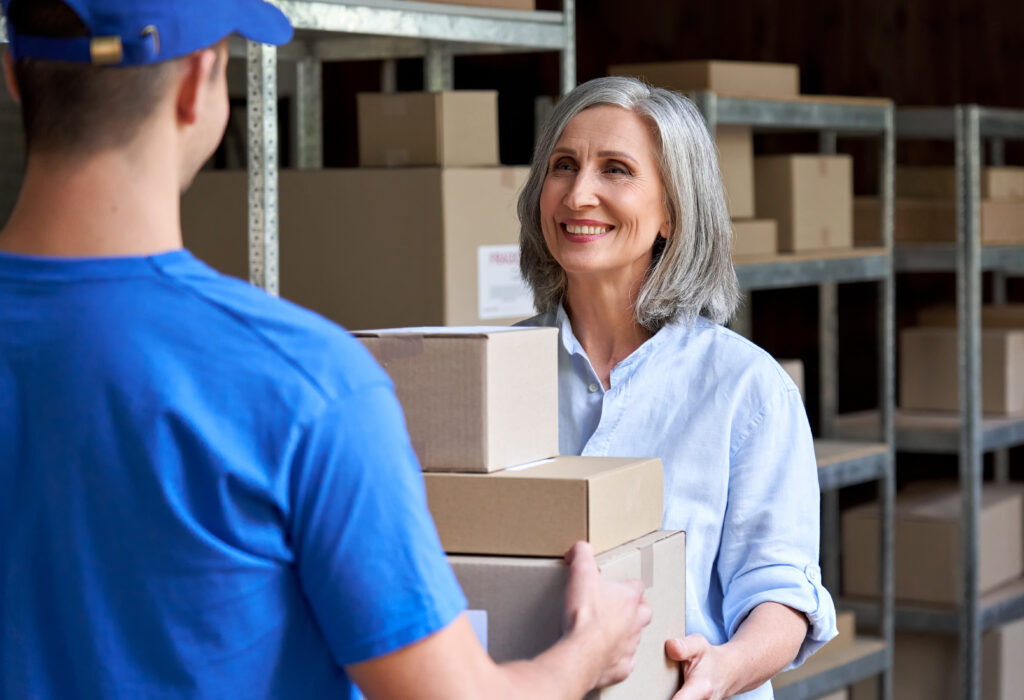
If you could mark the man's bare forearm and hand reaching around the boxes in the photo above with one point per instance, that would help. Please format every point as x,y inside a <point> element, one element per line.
<point>604,625</point>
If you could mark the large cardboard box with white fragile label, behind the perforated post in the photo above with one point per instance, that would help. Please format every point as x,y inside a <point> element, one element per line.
<point>378,248</point>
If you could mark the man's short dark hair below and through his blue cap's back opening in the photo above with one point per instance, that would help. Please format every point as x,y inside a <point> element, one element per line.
<point>78,109</point>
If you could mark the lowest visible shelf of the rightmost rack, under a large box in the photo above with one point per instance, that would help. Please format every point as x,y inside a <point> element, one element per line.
<point>998,607</point>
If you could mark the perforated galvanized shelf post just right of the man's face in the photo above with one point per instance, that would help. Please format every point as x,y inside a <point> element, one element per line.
<point>262,62</point>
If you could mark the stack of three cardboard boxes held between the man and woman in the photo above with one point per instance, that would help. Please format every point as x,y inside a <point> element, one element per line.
<point>483,413</point>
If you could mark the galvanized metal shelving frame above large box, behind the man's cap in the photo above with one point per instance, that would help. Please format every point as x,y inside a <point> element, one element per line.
<point>343,30</point>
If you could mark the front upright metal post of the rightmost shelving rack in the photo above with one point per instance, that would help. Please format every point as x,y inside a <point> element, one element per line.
<point>968,144</point>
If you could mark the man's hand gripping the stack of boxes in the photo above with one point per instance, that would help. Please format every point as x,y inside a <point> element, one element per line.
<point>610,616</point>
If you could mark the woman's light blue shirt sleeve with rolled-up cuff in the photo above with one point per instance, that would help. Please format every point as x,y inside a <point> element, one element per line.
<point>770,550</point>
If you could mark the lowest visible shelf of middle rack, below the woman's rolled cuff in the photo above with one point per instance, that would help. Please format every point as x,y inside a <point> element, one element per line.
<point>830,671</point>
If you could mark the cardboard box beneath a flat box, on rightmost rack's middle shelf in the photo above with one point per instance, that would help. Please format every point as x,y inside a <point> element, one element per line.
<point>929,381</point>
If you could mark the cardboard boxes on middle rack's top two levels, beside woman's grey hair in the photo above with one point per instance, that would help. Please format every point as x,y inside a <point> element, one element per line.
<point>788,204</point>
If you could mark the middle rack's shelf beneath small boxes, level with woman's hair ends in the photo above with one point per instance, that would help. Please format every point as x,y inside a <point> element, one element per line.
<point>804,270</point>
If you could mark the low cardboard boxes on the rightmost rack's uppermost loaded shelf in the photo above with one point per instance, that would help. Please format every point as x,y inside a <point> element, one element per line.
<point>926,208</point>
